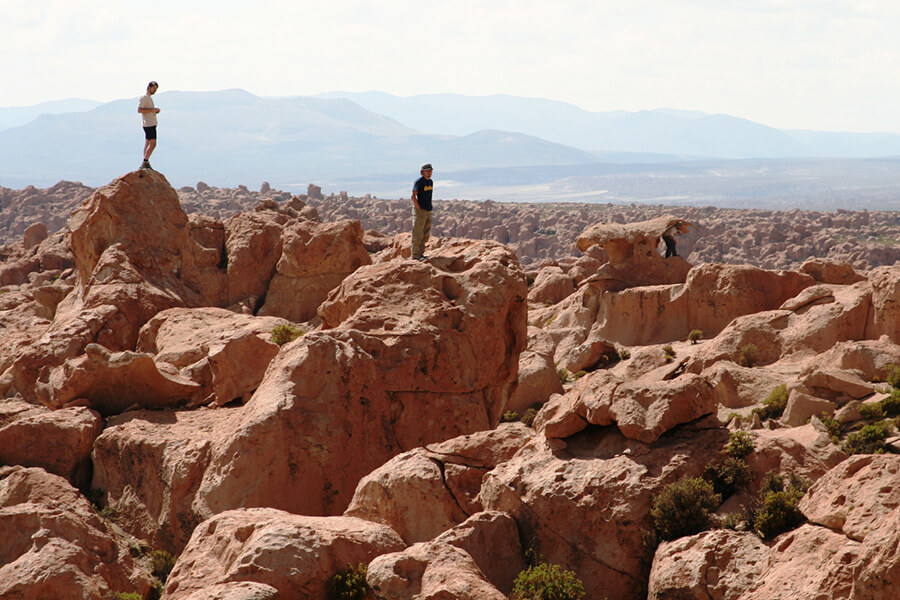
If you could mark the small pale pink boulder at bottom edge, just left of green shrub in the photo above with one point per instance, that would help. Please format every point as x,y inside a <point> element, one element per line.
<point>430,570</point>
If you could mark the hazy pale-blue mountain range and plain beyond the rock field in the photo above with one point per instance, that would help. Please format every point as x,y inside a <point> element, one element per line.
<point>378,140</point>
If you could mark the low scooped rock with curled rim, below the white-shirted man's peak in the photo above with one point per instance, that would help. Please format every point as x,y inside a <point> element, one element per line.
<point>112,382</point>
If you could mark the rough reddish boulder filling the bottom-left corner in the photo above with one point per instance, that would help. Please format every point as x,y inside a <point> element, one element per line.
<point>56,546</point>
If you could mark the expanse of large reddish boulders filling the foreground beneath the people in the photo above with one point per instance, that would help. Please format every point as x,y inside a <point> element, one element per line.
<point>272,405</point>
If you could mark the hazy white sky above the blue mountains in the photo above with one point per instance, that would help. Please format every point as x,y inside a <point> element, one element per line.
<point>813,64</point>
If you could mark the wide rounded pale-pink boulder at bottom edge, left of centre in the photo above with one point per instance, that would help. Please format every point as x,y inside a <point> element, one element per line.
<point>295,555</point>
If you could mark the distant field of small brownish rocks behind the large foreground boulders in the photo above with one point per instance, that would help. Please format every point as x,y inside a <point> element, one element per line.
<point>763,238</point>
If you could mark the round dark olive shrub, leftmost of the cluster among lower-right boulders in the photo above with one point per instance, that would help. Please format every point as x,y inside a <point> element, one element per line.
<point>682,508</point>
